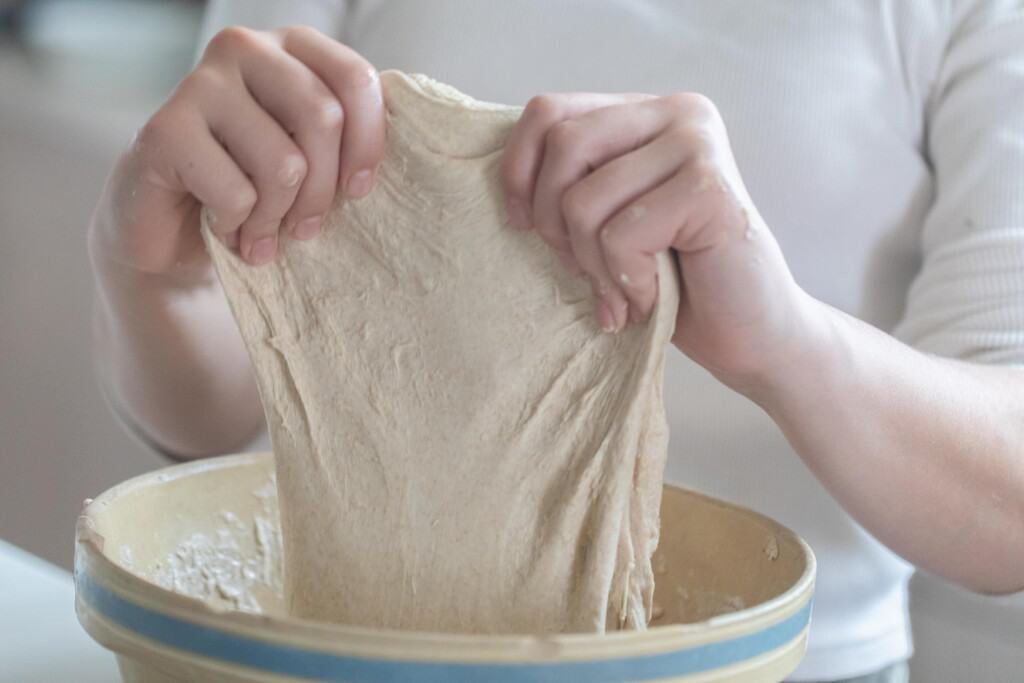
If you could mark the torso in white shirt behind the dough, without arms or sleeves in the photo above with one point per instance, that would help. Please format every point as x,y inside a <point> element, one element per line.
<point>826,104</point>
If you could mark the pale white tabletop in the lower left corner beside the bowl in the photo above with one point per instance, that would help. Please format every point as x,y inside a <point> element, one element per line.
<point>40,638</point>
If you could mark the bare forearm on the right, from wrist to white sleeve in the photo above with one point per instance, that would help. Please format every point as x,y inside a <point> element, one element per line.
<point>926,453</point>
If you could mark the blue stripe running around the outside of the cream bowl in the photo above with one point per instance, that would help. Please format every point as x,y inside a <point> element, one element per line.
<point>304,664</point>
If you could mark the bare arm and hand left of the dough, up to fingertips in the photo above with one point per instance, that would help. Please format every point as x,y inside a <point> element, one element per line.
<point>262,135</point>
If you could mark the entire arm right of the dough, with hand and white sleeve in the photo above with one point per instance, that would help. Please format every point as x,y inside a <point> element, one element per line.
<point>926,452</point>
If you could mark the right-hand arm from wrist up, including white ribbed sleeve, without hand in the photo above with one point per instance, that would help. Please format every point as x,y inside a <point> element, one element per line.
<point>928,452</point>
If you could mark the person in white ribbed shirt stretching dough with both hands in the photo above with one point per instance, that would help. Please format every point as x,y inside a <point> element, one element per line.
<point>842,184</point>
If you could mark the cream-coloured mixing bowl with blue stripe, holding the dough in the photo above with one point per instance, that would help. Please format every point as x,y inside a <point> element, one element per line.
<point>734,597</point>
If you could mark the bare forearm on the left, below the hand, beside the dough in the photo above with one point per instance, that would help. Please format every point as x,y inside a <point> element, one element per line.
<point>172,360</point>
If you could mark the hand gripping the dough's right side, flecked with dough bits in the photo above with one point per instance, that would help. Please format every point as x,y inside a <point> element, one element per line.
<point>611,181</point>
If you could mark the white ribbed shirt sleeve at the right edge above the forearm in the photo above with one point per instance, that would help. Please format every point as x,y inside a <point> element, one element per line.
<point>968,300</point>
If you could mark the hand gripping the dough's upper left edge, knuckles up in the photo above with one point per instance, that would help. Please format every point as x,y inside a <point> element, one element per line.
<point>264,134</point>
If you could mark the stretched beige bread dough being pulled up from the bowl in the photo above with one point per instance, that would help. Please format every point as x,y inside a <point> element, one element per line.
<point>459,448</point>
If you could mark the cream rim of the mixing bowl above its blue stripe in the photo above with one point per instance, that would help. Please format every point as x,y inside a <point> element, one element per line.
<point>94,566</point>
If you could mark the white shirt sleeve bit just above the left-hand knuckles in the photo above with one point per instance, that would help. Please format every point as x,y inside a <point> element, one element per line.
<point>325,16</point>
